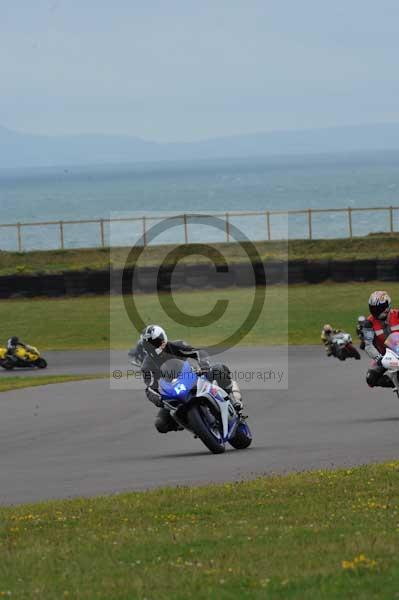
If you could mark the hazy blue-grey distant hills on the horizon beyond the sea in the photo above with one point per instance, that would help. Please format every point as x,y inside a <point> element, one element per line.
<point>27,150</point>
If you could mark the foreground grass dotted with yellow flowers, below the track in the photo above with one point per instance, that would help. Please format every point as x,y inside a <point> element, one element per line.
<point>329,535</point>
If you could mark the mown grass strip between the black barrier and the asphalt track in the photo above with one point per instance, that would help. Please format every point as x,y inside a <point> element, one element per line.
<point>84,323</point>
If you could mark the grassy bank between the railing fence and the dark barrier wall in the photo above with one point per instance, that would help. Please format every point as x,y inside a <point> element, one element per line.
<point>53,261</point>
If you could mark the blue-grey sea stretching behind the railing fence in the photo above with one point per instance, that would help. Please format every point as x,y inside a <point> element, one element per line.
<point>153,190</point>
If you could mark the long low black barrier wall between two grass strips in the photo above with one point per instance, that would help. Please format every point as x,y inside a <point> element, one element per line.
<point>149,279</point>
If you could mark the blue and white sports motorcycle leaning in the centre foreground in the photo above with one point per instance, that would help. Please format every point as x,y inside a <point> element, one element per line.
<point>203,408</point>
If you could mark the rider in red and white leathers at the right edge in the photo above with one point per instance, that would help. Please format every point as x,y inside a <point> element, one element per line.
<point>382,321</point>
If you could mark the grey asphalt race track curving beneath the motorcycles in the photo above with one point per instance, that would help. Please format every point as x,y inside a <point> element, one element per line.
<point>87,438</point>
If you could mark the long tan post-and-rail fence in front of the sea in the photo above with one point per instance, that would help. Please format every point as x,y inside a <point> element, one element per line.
<point>25,236</point>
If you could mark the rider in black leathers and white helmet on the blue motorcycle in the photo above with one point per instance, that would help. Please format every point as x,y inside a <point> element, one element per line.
<point>158,351</point>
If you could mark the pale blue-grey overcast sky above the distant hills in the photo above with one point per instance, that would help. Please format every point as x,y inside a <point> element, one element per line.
<point>185,70</point>
